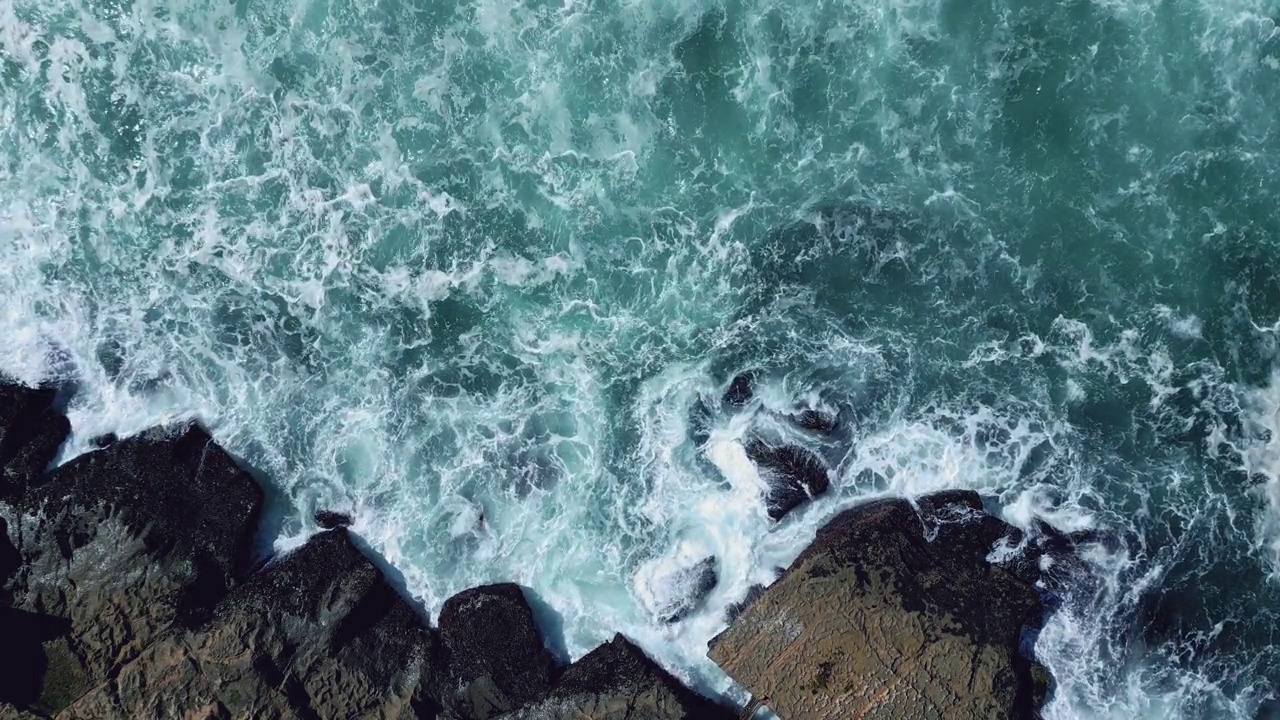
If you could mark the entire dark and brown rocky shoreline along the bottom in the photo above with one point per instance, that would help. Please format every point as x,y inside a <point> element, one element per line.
<point>130,591</point>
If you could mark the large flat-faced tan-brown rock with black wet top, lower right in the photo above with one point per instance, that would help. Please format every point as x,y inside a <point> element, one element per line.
<point>893,613</point>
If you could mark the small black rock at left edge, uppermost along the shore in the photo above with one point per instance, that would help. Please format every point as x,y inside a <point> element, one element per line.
<point>31,434</point>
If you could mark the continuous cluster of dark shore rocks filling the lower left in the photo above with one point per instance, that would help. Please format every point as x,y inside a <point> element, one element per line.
<point>131,591</point>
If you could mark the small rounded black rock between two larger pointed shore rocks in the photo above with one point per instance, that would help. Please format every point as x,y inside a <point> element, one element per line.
<point>497,662</point>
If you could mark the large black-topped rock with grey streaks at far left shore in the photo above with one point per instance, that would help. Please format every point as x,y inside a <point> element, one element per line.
<point>124,545</point>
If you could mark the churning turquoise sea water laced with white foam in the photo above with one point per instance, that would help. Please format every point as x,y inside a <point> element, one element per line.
<point>479,272</point>
